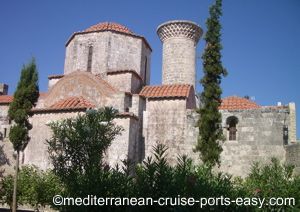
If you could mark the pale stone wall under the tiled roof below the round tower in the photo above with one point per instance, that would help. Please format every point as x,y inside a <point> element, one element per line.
<point>168,122</point>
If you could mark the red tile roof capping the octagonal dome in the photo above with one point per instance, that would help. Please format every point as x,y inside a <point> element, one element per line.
<point>109,26</point>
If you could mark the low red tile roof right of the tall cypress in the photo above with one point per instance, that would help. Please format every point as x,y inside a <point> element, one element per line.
<point>237,103</point>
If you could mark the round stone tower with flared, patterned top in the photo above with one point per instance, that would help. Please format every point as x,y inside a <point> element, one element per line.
<point>179,40</point>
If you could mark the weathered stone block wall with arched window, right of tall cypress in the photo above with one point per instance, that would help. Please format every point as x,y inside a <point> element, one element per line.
<point>259,137</point>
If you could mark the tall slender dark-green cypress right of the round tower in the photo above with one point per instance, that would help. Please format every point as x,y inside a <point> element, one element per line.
<point>210,132</point>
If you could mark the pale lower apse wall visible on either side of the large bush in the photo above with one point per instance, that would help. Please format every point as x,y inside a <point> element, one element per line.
<point>36,150</point>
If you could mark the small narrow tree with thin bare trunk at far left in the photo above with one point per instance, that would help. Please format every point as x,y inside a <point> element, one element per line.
<point>25,97</point>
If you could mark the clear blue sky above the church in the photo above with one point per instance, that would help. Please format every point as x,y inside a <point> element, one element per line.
<point>261,39</point>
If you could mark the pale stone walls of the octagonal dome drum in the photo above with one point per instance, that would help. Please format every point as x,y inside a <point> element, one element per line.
<point>110,52</point>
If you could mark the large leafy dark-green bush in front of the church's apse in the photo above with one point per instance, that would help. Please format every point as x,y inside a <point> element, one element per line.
<point>77,149</point>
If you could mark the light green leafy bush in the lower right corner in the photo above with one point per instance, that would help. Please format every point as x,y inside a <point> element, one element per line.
<point>273,180</point>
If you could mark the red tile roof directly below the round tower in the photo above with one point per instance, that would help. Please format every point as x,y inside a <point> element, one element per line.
<point>166,91</point>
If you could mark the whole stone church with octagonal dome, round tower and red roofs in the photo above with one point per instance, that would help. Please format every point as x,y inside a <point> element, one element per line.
<point>109,65</point>
